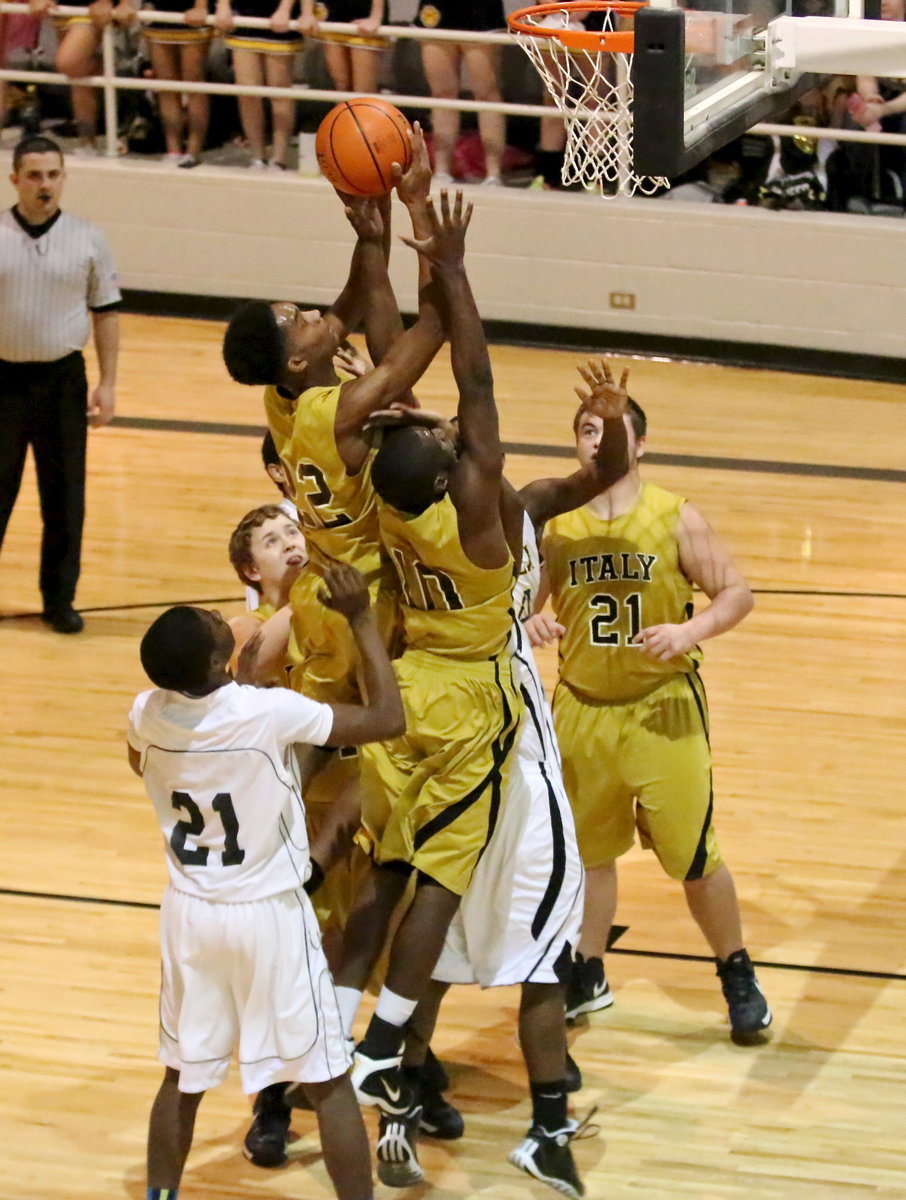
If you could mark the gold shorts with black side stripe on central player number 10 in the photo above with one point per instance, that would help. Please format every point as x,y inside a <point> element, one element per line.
<point>431,799</point>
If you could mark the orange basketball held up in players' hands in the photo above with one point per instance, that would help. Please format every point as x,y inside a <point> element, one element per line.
<point>358,143</point>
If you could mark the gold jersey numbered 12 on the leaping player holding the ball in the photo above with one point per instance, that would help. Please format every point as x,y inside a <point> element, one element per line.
<point>338,512</point>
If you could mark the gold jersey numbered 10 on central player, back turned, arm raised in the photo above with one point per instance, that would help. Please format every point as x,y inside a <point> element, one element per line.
<point>449,605</point>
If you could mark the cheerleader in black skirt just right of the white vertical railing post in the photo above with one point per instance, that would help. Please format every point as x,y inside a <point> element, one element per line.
<point>181,52</point>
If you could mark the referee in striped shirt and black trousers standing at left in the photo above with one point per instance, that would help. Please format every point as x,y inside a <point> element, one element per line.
<point>57,284</point>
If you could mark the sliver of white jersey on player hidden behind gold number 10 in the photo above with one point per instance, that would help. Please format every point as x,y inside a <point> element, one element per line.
<point>538,743</point>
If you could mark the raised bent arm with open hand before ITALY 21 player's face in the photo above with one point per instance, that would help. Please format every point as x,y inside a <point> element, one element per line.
<point>547,499</point>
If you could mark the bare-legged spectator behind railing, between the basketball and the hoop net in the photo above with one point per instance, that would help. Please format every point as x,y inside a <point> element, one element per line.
<point>443,65</point>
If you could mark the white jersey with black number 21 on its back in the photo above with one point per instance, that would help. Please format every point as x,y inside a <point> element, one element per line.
<point>217,770</point>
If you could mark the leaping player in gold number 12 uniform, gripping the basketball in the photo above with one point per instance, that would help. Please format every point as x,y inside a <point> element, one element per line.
<point>315,417</point>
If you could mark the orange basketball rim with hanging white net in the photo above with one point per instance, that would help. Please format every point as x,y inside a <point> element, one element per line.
<point>589,73</point>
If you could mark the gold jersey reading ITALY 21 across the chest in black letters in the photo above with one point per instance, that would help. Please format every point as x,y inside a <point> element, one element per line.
<point>610,580</point>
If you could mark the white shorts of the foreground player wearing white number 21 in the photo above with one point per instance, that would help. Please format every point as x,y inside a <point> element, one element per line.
<point>248,977</point>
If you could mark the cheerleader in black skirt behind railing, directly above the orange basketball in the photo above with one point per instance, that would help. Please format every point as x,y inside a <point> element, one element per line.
<point>352,59</point>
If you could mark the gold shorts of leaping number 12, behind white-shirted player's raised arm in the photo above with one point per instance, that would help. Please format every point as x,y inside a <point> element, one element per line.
<point>329,665</point>
